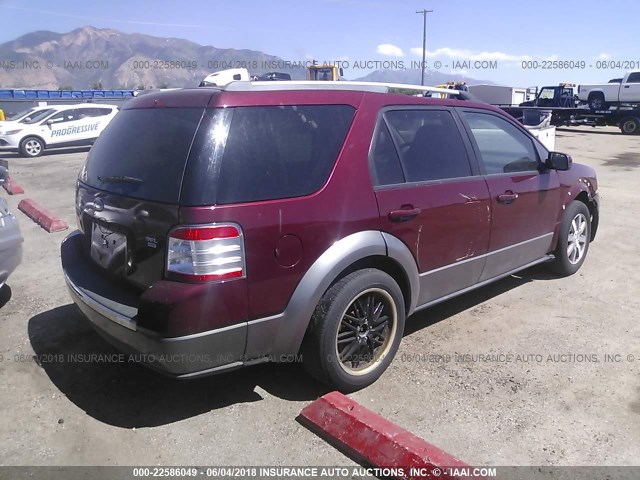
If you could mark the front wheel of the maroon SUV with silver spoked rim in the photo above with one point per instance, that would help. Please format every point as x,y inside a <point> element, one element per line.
<point>573,239</point>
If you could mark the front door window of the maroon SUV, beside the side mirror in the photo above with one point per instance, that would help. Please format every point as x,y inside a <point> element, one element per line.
<point>503,148</point>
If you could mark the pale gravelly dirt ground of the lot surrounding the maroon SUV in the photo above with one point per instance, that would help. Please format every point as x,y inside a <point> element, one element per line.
<point>558,382</point>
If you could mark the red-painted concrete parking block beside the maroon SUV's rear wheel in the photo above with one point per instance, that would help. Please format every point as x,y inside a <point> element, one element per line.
<point>374,440</point>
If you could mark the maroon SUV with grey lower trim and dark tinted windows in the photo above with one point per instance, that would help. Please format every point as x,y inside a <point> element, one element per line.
<point>222,228</point>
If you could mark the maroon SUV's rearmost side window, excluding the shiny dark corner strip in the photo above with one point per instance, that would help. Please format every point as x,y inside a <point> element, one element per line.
<point>281,151</point>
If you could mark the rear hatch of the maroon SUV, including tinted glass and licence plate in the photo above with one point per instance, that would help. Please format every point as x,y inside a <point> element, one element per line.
<point>129,189</point>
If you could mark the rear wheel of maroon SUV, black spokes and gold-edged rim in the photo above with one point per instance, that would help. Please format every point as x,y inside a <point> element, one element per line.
<point>355,330</point>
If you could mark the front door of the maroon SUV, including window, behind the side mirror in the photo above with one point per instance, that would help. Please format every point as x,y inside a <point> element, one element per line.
<point>525,199</point>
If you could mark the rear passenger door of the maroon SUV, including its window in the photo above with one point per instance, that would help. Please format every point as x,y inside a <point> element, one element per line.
<point>430,196</point>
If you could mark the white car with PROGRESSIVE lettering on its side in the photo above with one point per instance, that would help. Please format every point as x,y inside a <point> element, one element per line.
<point>56,126</point>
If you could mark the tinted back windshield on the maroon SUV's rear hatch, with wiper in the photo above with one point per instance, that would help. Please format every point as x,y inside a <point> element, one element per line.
<point>150,147</point>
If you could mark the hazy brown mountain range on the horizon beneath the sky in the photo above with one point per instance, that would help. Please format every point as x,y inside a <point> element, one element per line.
<point>89,57</point>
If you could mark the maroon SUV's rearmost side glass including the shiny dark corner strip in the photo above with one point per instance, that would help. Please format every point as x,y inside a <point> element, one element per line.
<point>248,154</point>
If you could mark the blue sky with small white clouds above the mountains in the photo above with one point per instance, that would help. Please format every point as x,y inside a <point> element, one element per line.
<point>520,44</point>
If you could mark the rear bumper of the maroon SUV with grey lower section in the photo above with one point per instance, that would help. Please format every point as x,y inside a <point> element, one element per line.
<point>113,312</point>
